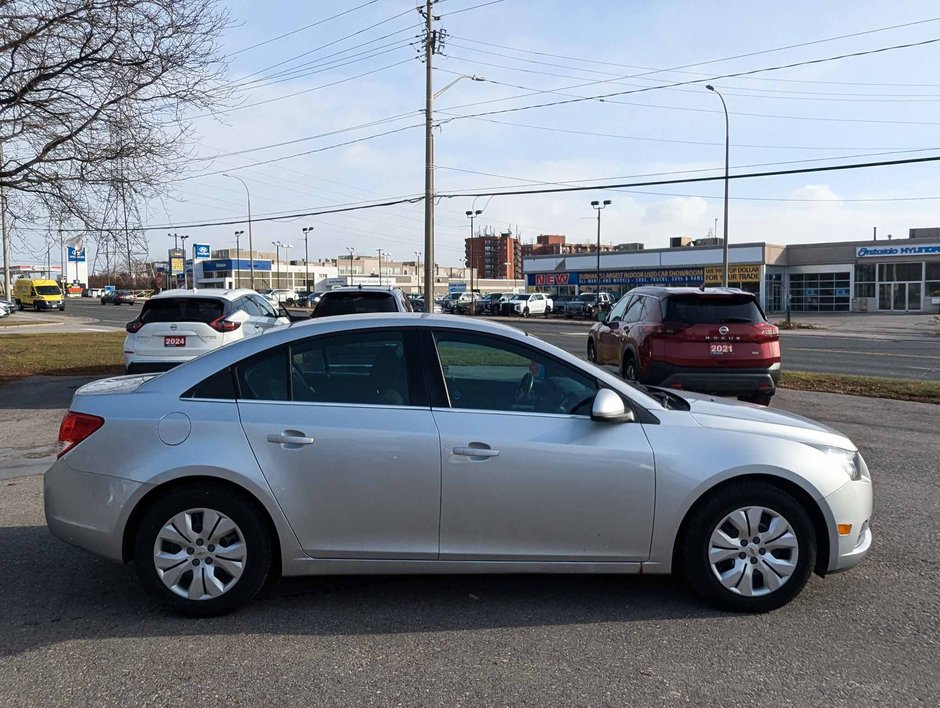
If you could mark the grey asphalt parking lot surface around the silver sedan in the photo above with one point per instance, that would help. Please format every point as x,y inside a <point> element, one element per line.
<point>77,630</point>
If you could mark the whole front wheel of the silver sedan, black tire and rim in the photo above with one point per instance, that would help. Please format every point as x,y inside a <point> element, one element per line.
<point>784,534</point>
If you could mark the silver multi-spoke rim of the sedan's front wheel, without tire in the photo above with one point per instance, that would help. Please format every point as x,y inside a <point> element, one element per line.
<point>753,551</point>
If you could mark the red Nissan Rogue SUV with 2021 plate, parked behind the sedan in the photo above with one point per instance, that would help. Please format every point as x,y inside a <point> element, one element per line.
<point>712,340</point>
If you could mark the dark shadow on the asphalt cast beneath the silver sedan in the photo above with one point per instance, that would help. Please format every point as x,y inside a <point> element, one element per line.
<point>55,593</point>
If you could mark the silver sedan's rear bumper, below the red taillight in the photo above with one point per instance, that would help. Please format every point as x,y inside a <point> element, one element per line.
<point>89,510</point>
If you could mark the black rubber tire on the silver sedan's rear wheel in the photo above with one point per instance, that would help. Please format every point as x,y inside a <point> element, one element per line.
<point>248,527</point>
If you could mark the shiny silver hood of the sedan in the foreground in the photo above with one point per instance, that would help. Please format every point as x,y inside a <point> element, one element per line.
<point>725,414</point>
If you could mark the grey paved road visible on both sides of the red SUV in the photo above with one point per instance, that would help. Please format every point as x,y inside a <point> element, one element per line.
<point>916,358</point>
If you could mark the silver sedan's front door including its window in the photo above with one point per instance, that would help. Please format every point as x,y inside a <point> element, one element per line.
<point>526,473</point>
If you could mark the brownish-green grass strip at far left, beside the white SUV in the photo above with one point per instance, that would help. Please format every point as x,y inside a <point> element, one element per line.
<point>73,354</point>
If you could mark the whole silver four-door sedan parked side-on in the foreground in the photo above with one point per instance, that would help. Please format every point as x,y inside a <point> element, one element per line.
<point>435,444</point>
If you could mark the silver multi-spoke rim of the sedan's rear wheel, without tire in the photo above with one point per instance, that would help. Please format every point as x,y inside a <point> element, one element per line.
<point>199,554</point>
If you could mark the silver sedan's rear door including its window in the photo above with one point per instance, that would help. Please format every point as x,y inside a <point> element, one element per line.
<point>341,427</point>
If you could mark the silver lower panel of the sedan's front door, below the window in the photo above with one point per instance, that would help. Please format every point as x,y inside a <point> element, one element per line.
<point>559,487</point>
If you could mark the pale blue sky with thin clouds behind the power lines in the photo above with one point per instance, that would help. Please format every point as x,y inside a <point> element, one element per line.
<point>883,103</point>
